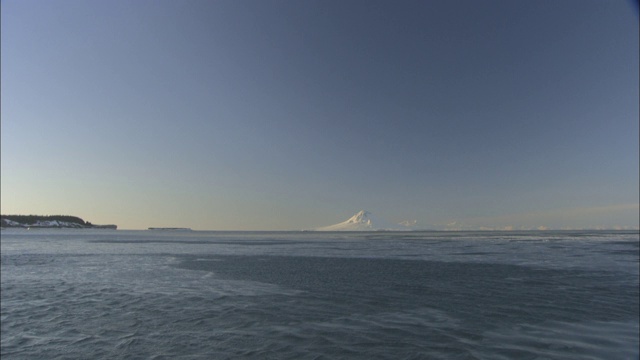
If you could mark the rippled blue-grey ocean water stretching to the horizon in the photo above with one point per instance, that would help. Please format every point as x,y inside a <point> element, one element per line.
<point>90,294</point>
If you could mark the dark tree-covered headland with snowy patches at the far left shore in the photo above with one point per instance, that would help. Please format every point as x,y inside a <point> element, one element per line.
<point>49,221</point>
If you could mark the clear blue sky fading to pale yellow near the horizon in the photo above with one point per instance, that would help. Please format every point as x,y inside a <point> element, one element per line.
<point>287,114</point>
